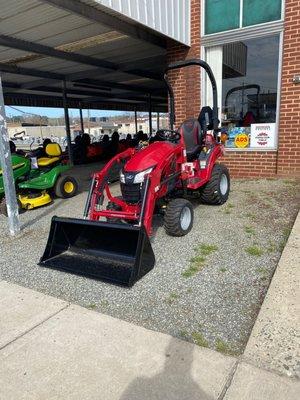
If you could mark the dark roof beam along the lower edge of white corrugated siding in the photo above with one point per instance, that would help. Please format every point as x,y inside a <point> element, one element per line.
<point>93,14</point>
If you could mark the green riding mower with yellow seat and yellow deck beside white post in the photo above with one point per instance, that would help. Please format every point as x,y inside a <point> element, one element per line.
<point>34,183</point>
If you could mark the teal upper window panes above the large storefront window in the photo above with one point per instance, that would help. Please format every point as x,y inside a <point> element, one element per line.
<point>224,15</point>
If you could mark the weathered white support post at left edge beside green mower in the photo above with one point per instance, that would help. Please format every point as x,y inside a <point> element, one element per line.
<point>7,172</point>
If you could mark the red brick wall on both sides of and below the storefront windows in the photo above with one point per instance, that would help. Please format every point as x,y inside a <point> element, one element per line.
<point>186,85</point>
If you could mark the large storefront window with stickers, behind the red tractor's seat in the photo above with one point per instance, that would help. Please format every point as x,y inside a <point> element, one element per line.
<point>247,75</point>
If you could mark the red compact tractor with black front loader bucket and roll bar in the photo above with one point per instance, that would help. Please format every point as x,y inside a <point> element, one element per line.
<point>112,241</point>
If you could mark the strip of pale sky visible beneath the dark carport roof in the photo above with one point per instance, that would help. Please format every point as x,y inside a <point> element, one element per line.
<point>58,112</point>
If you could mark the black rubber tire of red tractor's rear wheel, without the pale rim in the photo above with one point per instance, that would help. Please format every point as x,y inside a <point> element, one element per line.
<point>210,193</point>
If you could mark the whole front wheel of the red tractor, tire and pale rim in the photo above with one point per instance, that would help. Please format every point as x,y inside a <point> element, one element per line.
<point>179,217</point>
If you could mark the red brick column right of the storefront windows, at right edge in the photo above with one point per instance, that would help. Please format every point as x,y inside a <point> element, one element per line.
<point>288,162</point>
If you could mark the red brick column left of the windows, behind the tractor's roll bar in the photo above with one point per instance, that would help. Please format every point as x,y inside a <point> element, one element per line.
<point>186,82</point>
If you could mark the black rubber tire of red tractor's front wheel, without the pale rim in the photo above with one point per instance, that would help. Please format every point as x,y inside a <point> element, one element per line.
<point>172,217</point>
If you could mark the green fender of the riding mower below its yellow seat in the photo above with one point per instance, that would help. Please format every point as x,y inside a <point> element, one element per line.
<point>45,180</point>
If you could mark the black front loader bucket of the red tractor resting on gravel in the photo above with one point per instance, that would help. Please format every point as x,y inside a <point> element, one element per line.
<point>116,253</point>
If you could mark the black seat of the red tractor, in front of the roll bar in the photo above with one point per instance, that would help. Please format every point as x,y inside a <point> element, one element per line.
<point>190,130</point>
